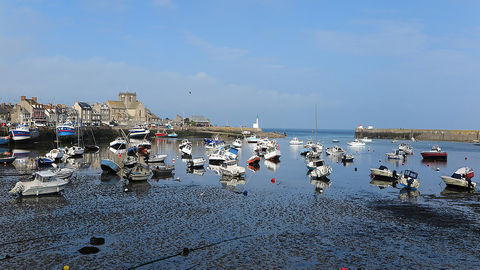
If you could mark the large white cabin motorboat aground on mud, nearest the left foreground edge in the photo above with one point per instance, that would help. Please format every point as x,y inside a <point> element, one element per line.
<point>45,182</point>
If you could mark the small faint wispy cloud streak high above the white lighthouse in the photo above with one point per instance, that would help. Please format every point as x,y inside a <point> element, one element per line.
<point>214,51</point>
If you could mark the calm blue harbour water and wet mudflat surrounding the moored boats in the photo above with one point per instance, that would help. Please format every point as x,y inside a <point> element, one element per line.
<point>290,222</point>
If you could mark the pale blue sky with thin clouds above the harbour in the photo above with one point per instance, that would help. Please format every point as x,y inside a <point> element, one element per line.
<point>408,64</point>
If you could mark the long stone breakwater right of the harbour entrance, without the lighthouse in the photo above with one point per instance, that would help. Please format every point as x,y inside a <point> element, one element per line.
<point>420,134</point>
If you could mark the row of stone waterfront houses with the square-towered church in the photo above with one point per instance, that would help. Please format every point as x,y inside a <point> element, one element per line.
<point>127,110</point>
